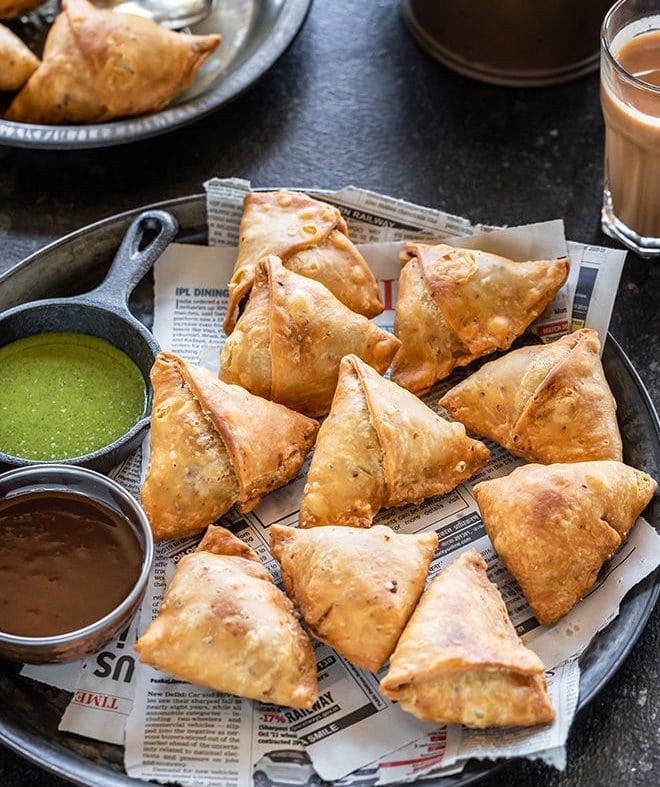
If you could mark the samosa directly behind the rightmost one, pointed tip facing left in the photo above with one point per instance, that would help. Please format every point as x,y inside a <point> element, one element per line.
<point>546,403</point>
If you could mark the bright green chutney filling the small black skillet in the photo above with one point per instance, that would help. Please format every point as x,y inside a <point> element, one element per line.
<point>64,395</point>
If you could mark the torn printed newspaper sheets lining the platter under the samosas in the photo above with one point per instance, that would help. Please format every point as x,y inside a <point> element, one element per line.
<point>193,735</point>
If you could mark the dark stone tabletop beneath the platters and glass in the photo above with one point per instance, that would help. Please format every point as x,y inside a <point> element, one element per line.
<point>355,101</point>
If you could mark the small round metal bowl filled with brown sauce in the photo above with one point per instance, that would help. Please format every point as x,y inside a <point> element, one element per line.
<point>76,554</point>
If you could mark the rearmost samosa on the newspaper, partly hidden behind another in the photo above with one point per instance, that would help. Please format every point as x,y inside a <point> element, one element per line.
<point>311,239</point>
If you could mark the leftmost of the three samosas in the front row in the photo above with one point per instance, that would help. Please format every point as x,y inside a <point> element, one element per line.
<point>223,623</point>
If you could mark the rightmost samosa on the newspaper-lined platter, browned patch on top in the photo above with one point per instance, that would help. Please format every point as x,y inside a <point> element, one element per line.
<point>554,526</point>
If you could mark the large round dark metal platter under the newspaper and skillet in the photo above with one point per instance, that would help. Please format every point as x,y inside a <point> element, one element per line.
<point>30,712</point>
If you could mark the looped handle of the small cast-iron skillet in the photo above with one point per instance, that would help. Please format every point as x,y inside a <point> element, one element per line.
<point>131,262</point>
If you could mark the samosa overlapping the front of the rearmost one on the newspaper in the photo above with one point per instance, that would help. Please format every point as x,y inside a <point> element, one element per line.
<point>289,341</point>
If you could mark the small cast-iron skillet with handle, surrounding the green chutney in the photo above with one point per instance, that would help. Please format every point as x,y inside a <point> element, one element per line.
<point>104,313</point>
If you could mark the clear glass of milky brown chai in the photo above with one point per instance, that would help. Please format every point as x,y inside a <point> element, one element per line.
<point>630,99</point>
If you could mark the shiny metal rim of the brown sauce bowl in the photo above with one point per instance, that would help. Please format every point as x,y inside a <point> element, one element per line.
<point>139,586</point>
